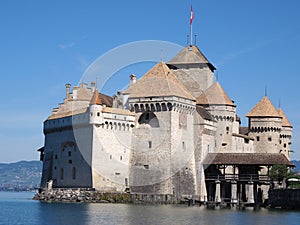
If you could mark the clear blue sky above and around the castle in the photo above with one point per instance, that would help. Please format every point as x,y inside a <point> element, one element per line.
<point>45,44</point>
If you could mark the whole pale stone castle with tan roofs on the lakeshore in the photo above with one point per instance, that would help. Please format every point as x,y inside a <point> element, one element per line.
<point>173,132</point>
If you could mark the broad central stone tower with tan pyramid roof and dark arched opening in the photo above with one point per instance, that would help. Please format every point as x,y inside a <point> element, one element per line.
<point>162,159</point>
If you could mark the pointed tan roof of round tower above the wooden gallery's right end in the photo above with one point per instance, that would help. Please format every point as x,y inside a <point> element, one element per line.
<point>264,108</point>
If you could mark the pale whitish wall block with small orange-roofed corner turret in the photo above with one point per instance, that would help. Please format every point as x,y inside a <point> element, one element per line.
<point>111,141</point>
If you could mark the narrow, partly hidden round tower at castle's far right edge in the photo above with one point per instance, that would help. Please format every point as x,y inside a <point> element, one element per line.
<point>285,135</point>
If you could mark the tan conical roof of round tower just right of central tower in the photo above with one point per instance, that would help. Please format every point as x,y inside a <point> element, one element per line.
<point>214,95</point>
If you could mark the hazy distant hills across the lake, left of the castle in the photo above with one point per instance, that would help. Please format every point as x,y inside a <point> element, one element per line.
<point>20,176</point>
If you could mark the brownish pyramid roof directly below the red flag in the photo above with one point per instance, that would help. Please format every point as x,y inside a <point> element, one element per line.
<point>191,55</point>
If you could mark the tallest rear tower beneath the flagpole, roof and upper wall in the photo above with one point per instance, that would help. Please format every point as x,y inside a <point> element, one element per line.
<point>193,69</point>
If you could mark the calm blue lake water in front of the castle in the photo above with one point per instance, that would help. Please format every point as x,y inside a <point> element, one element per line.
<point>18,208</point>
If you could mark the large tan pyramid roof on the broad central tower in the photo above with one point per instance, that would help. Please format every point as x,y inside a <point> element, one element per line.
<point>159,81</point>
